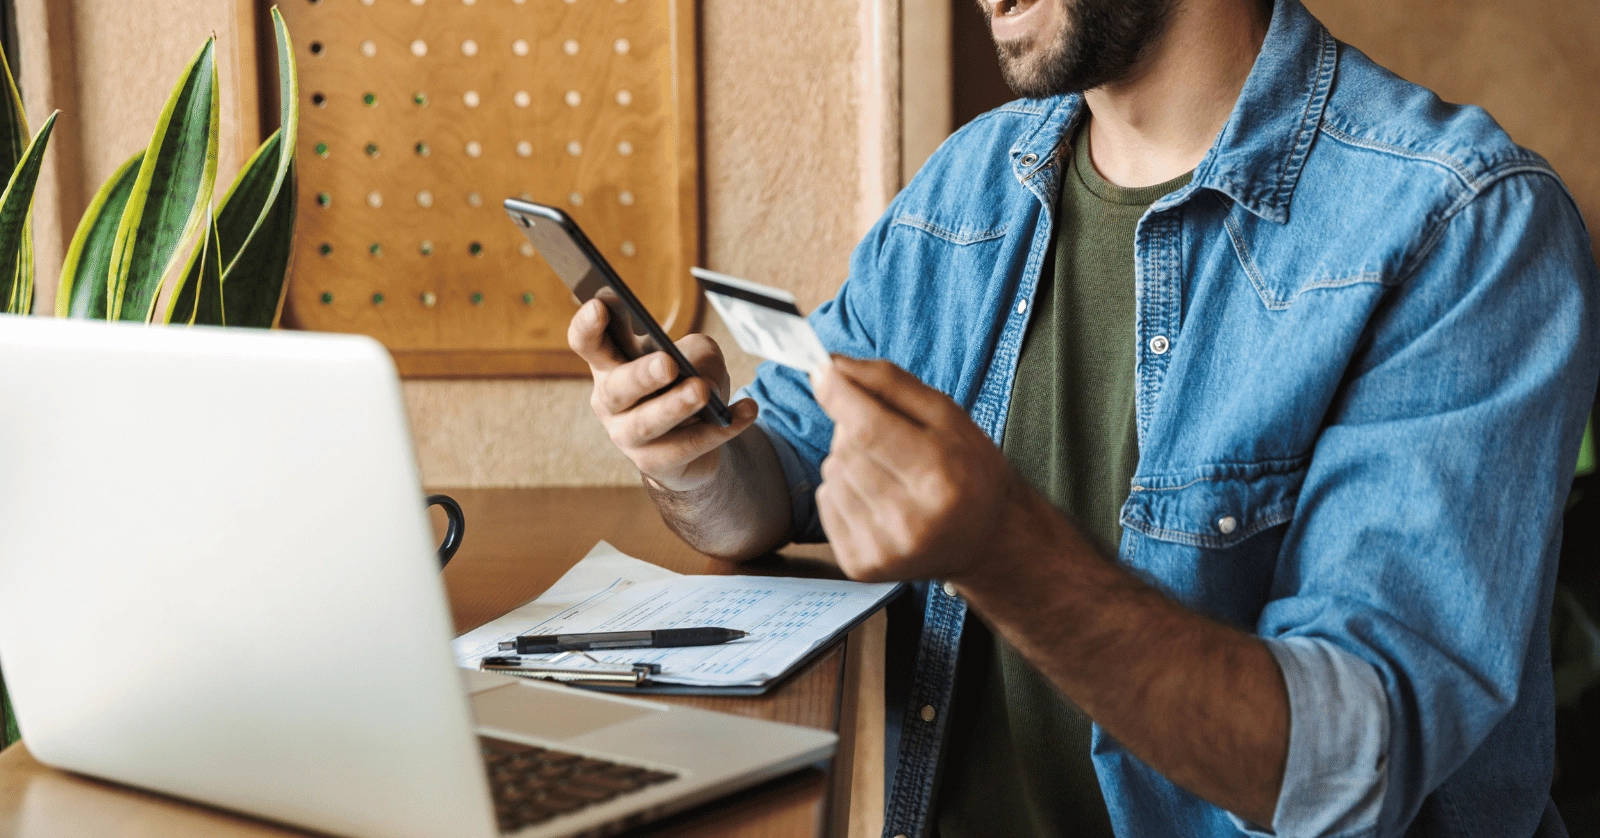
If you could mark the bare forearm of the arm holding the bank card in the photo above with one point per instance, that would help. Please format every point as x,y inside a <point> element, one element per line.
<point>1199,701</point>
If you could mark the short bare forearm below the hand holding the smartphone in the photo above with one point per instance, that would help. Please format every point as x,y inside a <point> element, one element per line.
<point>738,514</point>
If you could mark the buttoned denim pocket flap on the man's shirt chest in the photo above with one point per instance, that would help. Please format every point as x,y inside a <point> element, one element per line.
<point>1215,506</point>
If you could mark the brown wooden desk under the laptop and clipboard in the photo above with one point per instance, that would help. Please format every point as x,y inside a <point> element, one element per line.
<point>518,545</point>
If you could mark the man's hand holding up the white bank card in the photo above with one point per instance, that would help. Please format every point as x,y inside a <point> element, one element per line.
<point>911,487</point>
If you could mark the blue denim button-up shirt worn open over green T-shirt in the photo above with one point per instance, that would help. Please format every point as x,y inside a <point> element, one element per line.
<point>1366,351</point>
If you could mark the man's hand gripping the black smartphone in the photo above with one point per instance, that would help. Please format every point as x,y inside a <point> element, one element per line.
<point>658,433</point>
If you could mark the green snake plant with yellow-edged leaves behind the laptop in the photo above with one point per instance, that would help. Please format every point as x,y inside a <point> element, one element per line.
<point>154,245</point>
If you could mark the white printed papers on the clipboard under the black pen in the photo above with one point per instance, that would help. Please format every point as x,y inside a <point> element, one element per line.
<point>786,620</point>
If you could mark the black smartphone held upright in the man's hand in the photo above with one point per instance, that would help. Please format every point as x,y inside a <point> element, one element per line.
<point>577,261</point>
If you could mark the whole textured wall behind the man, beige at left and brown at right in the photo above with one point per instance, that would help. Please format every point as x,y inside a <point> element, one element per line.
<point>814,114</point>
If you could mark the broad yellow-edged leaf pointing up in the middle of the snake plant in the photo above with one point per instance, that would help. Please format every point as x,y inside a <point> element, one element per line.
<point>172,196</point>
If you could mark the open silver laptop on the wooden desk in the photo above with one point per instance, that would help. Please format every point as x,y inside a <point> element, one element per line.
<point>218,583</point>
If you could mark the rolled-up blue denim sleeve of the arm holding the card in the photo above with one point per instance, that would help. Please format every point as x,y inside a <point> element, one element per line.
<point>1418,570</point>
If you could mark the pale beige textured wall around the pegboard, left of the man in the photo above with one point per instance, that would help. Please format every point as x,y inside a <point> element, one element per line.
<point>801,156</point>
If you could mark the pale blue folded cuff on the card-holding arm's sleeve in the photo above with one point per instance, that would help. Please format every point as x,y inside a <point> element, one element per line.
<point>1338,762</point>
